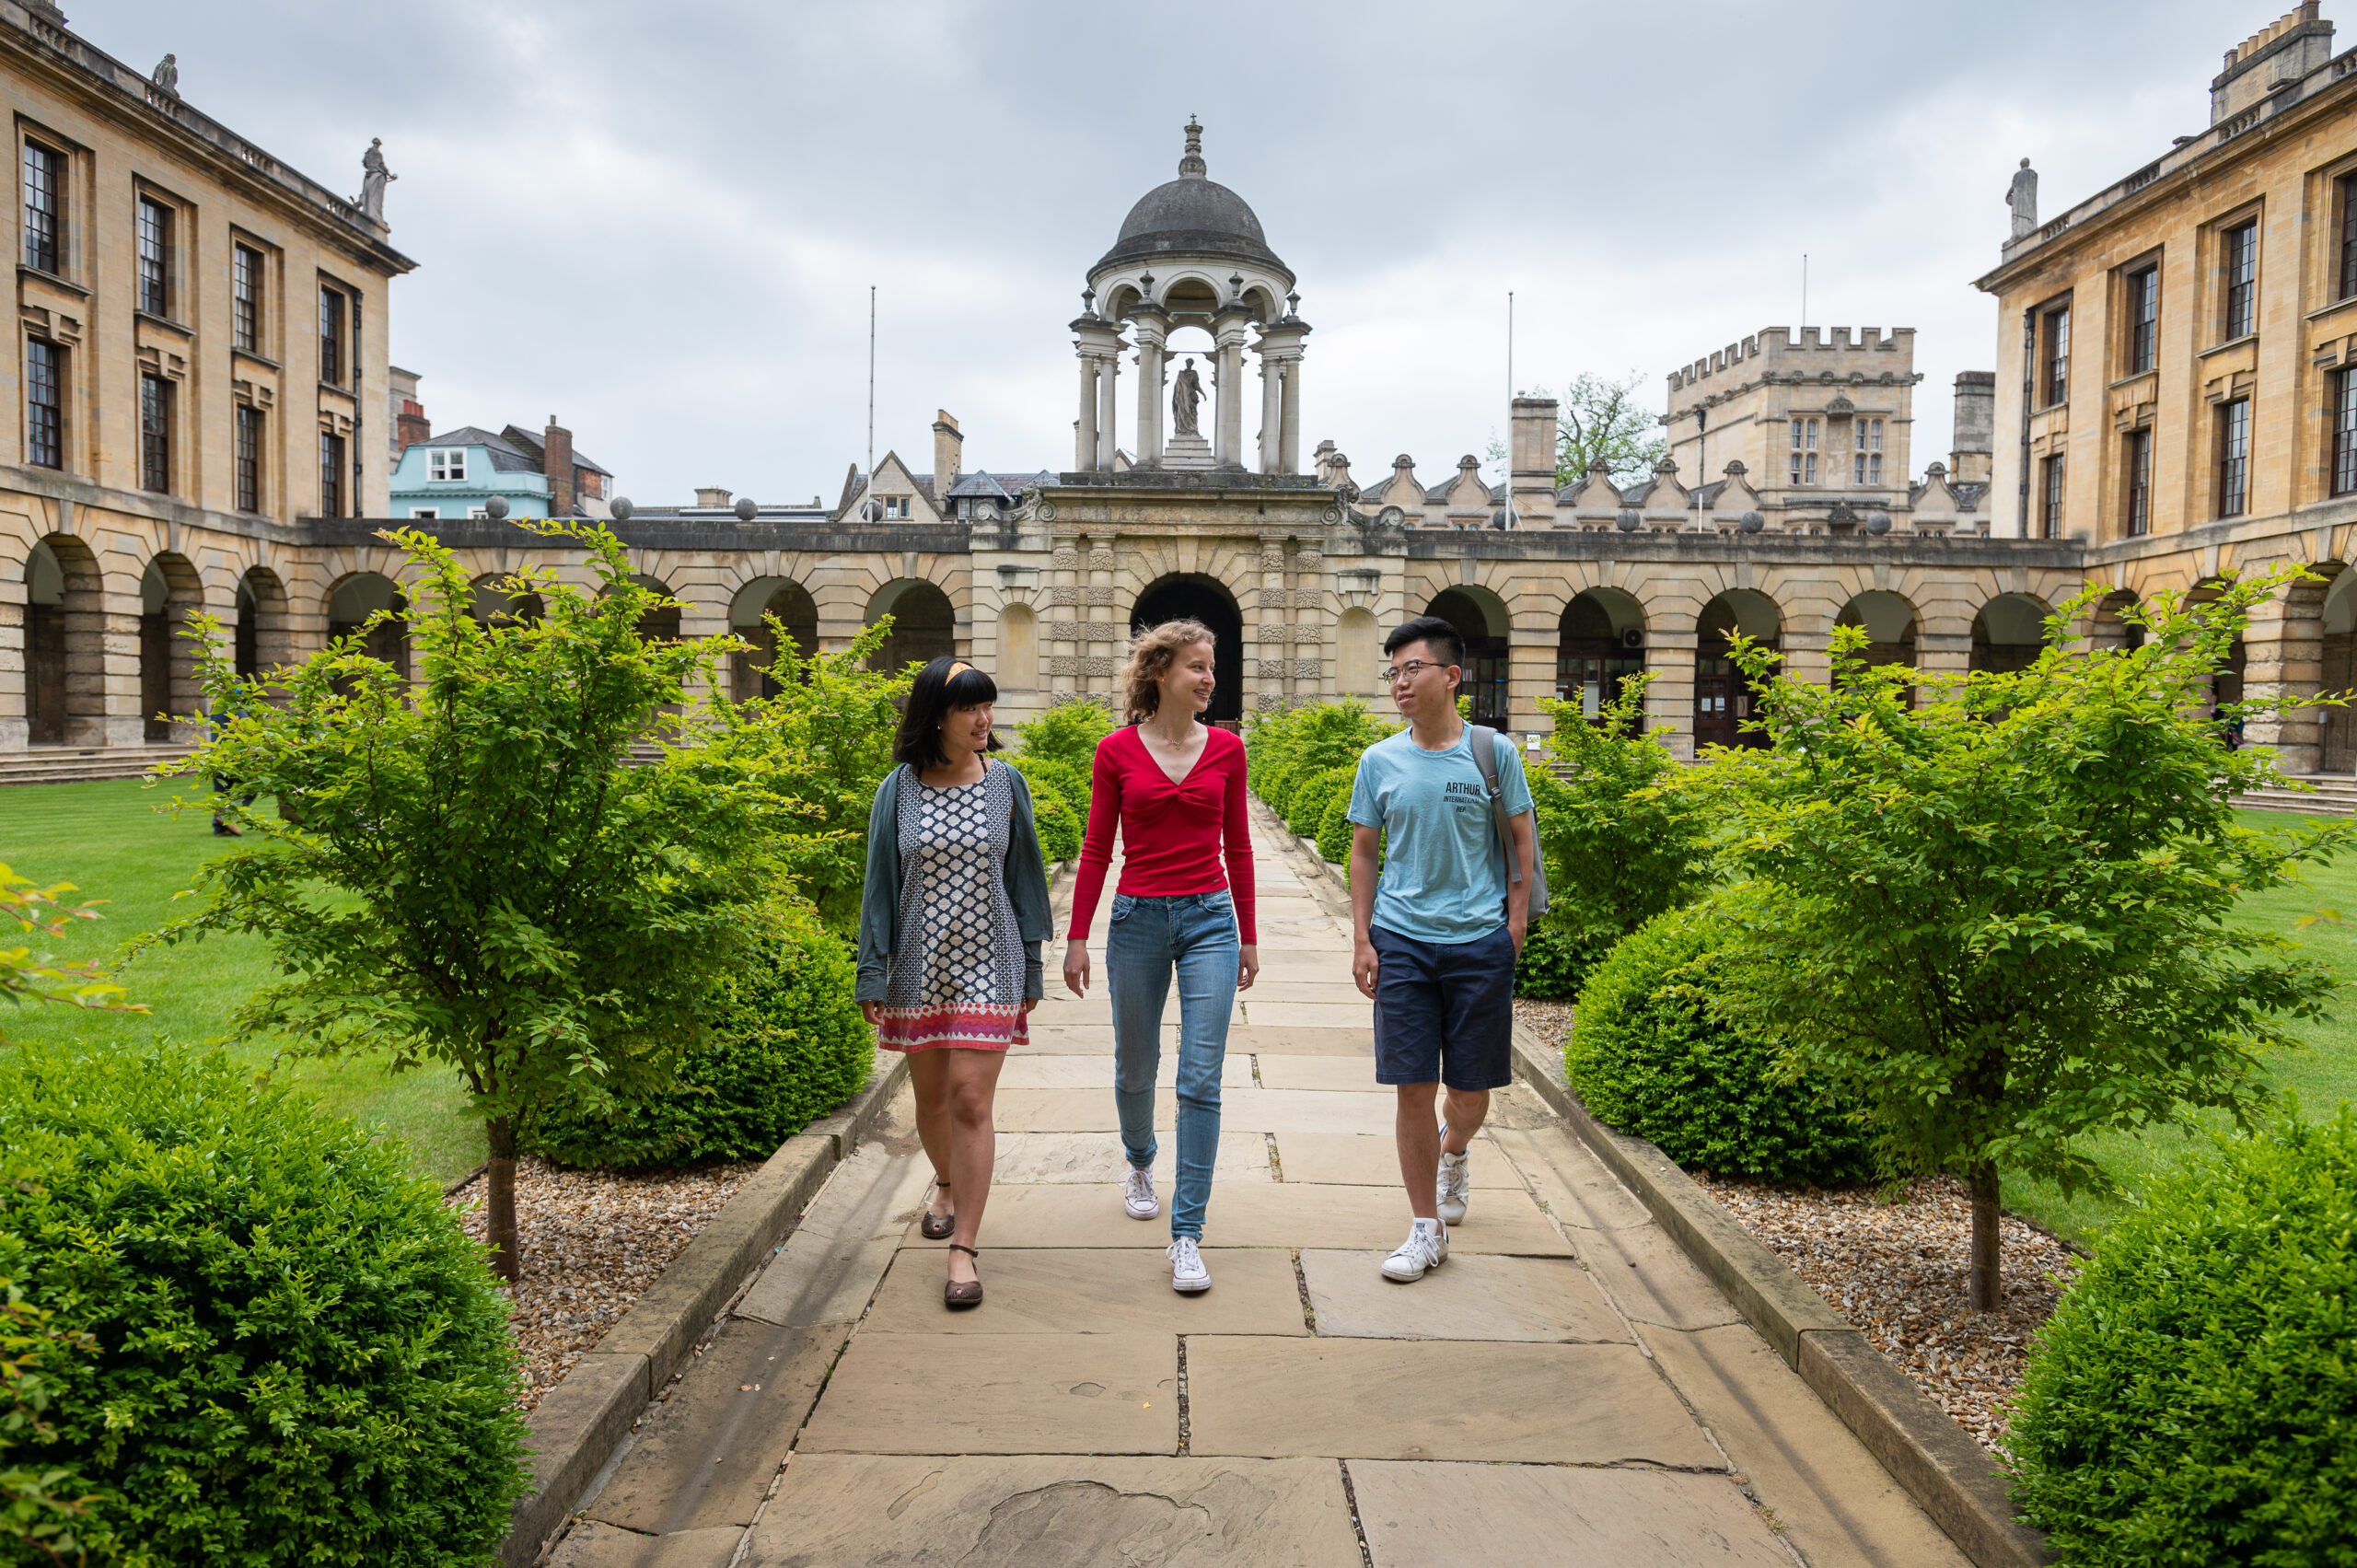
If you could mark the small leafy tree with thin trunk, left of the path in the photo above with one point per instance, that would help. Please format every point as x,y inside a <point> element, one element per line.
<point>480,874</point>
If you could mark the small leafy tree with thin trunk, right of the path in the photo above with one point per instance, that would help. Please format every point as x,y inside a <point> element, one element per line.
<point>2002,918</point>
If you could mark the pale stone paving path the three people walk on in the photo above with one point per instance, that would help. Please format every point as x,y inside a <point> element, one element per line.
<point>1564,1390</point>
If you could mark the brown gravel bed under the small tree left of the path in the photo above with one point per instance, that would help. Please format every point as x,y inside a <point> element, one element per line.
<point>590,1244</point>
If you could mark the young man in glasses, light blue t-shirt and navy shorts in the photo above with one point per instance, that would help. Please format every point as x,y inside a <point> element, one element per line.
<point>1437,942</point>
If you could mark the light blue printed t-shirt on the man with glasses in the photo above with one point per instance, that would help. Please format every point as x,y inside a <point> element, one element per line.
<point>1444,874</point>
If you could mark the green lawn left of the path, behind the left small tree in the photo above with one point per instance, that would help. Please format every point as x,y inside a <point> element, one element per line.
<point>114,843</point>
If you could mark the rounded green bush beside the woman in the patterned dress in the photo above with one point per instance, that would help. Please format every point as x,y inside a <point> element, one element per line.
<point>786,1048</point>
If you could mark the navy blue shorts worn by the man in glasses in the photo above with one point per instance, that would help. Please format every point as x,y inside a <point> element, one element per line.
<point>1444,1013</point>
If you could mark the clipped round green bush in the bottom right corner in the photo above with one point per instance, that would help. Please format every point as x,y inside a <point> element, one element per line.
<point>2196,1395</point>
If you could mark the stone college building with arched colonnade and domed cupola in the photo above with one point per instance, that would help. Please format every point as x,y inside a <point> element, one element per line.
<point>204,423</point>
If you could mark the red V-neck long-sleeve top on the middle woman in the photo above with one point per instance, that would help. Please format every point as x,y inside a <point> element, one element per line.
<point>1173,834</point>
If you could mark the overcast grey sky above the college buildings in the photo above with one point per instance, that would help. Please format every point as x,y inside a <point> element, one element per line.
<point>659,223</point>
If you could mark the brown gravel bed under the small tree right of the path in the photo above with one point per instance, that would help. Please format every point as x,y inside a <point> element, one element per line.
<point>1896,1265</point>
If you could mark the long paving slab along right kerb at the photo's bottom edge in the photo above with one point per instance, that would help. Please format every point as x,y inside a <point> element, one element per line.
<point>1835,1498</point>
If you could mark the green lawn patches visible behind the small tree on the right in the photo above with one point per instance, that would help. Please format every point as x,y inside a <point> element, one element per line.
<point>2318,1076</point>
